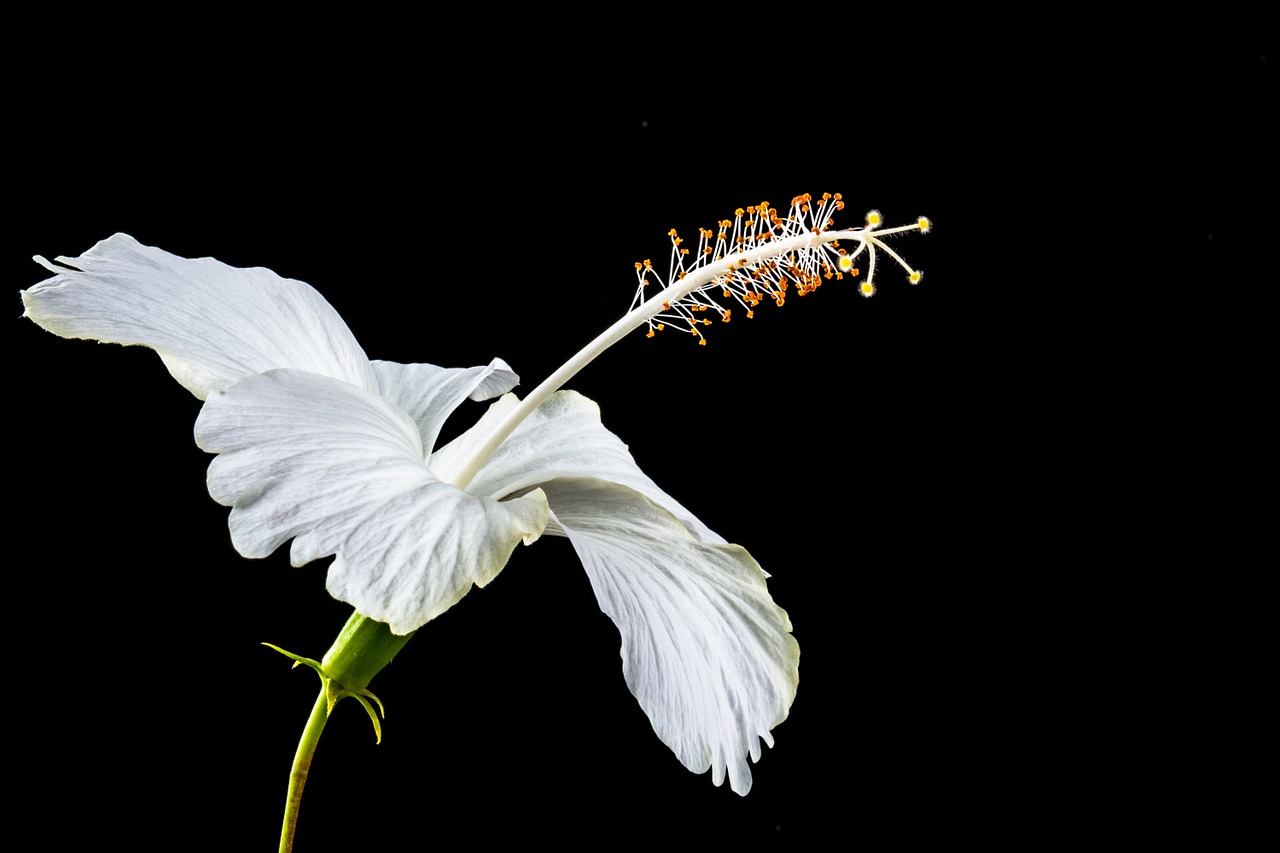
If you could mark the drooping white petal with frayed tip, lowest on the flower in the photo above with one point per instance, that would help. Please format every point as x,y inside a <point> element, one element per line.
<point>705,649</point>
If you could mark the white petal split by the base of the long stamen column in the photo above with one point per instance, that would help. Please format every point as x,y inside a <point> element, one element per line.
<point>561,439</point>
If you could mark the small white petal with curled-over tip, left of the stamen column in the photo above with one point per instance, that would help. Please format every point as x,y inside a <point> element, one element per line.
<point>429,395</point>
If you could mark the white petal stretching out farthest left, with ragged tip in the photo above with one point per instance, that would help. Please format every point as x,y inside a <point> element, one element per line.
<point>213,325</point>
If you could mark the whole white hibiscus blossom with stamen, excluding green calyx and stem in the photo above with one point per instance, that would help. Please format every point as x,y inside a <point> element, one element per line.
<point>319,445</point>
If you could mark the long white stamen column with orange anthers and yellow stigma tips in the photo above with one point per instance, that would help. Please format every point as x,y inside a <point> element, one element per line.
<point>757,261</point>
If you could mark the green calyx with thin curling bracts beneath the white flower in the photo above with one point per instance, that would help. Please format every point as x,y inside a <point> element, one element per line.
<point>362,651</point>
